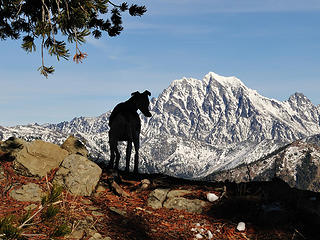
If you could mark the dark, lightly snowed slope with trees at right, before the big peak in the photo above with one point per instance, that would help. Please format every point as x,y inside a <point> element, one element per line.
<point>297,163</point>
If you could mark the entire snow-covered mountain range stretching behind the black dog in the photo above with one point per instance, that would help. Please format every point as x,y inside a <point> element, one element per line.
<point>197,127</point>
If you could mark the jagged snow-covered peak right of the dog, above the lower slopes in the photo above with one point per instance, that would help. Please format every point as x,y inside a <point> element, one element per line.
<point>222,110</point>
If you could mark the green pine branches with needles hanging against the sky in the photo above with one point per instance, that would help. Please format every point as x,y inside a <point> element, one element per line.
<point>49,20</point>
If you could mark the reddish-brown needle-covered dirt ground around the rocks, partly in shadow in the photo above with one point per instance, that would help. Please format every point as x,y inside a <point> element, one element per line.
<point>130,217</point>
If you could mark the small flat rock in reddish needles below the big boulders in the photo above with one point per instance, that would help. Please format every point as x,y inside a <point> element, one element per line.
<point>29,192</point>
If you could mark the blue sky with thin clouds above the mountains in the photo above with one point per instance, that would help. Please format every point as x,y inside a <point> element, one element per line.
<point>273,46</point>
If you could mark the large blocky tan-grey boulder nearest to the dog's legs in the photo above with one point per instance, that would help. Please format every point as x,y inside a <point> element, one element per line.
<point>78,174</point>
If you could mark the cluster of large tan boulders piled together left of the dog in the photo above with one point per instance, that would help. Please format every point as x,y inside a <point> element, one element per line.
<point>37,158</point>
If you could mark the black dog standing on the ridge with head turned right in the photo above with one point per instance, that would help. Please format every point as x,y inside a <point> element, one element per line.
<point>125,125</point>
